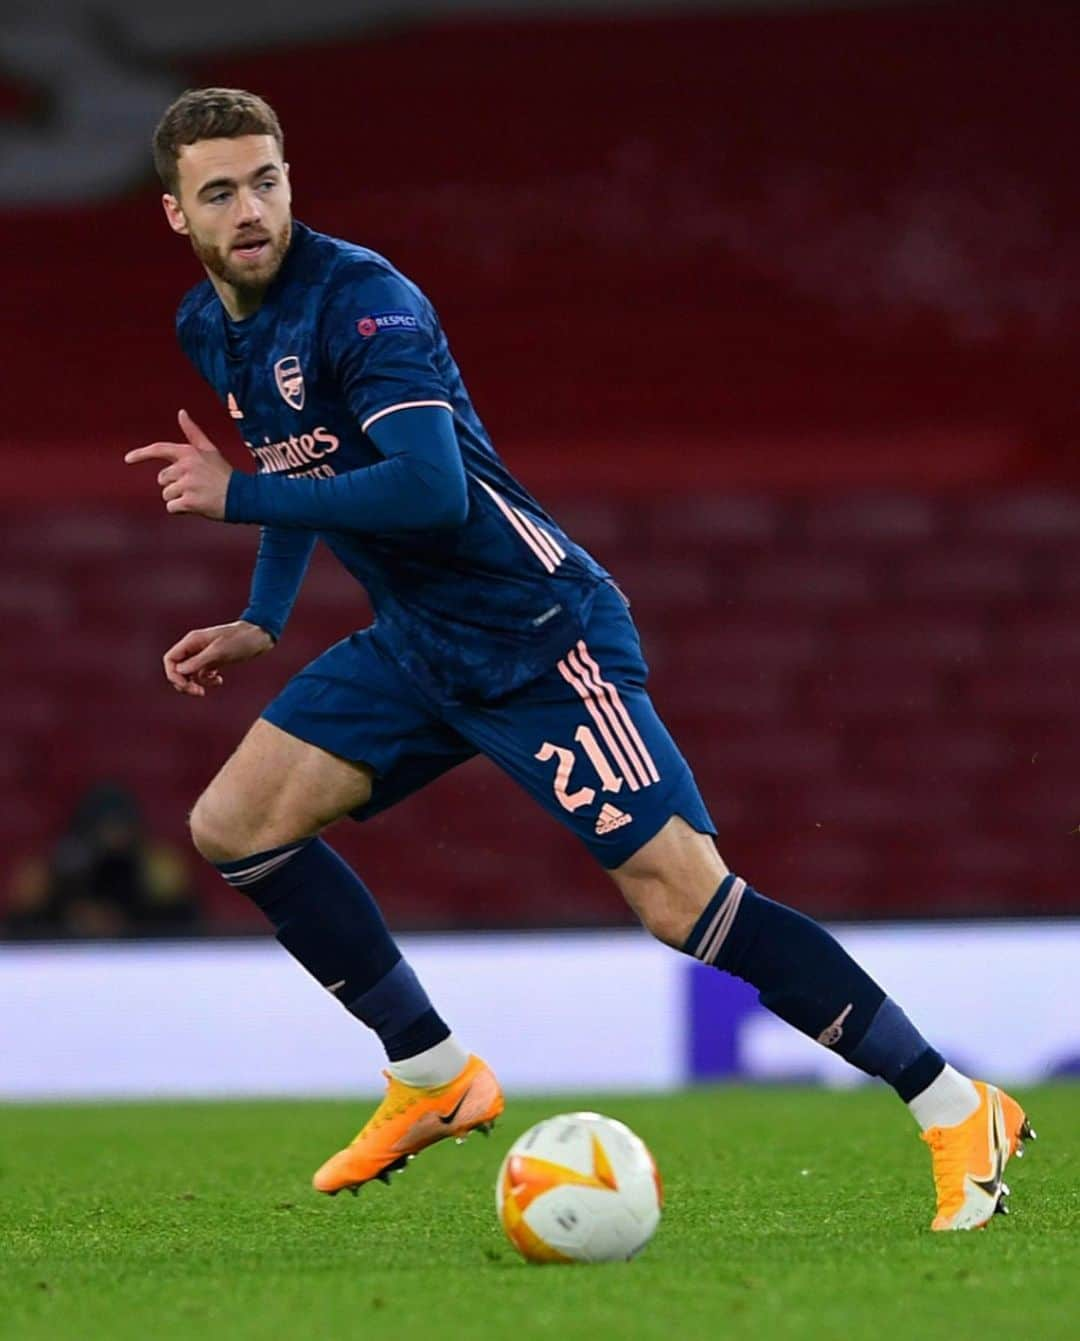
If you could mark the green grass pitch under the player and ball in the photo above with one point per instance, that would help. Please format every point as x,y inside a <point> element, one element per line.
<point>791,1214</point>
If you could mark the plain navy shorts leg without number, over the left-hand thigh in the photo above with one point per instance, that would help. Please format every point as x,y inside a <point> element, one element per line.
<point>356,706</point>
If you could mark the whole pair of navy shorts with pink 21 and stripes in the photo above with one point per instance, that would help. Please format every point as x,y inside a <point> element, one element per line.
<point>583,740</point>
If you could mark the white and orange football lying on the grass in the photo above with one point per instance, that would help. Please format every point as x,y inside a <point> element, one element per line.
<point>579,1187</point>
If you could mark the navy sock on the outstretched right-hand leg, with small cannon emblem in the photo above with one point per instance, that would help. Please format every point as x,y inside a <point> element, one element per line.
<point>806,977</point>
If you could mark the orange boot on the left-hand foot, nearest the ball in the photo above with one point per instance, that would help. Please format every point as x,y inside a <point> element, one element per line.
<point>409,1120</point>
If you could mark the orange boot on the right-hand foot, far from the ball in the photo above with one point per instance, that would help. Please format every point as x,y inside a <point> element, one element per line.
<point>971,1158</point>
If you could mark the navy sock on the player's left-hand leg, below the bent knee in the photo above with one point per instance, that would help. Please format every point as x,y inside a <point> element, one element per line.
<point>325,917</point>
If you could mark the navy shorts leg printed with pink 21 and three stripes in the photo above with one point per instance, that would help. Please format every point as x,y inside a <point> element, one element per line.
<point>588,745</point>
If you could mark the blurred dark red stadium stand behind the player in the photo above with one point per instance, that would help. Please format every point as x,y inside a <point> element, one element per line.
<point>779,316</point>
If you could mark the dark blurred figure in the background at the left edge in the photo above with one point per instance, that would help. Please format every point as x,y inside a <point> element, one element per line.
<point>105,878</point>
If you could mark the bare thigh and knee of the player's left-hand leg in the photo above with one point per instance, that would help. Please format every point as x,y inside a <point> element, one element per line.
<point>274,791</point>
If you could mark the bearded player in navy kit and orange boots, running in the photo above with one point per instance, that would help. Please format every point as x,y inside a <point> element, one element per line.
<point>494,634</point>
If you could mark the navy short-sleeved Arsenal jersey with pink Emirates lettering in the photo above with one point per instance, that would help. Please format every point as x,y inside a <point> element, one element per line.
<point>341,341</point>
